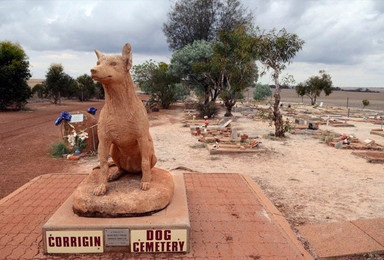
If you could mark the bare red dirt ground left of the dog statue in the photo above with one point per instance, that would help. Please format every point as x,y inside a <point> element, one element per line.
<point>23,154</point>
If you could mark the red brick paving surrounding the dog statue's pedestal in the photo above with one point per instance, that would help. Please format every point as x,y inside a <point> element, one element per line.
<point>230,219</point>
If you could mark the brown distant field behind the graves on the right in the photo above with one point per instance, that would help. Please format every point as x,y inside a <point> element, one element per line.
<point>337,98</point>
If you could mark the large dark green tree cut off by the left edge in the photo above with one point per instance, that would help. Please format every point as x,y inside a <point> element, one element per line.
<point>14,73</point>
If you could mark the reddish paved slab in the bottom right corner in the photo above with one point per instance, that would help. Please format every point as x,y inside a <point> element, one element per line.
<point>348,238</point>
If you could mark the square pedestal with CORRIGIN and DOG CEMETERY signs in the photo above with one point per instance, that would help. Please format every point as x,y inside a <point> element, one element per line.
<point>168,230</point>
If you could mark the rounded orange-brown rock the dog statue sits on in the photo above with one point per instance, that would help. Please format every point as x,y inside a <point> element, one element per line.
<point>124,198</point>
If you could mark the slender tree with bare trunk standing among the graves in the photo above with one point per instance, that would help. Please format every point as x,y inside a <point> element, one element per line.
<point>276,51</point>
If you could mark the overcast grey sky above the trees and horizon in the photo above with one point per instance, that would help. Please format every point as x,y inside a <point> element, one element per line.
<point>345,38</point>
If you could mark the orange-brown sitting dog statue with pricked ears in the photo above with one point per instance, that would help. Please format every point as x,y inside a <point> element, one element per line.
<point>123,127</point>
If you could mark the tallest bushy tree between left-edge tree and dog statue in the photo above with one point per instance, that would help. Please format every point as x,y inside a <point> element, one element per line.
<point>57,82</point>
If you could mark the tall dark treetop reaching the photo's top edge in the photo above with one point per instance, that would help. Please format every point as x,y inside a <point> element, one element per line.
<point>189,21</point>
